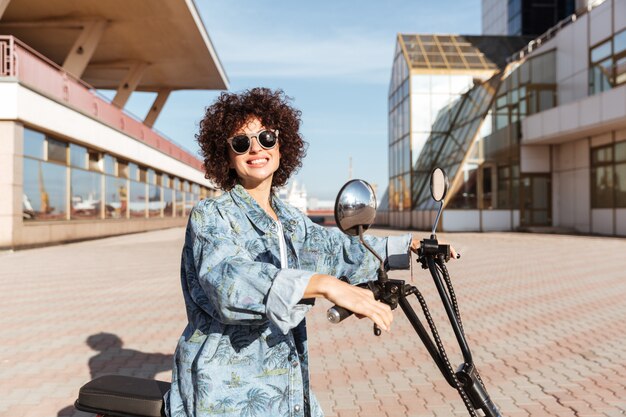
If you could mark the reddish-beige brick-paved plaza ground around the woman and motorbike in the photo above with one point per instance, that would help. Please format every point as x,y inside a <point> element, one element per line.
<point>545,316</point>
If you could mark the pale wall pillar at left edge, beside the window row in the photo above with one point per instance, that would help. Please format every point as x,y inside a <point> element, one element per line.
<point>11,177</point>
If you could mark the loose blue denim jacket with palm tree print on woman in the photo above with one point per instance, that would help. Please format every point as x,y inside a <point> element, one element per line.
<point>244,350</point>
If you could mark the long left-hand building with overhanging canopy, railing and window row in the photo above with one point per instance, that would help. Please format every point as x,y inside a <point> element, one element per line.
<point>74,165</point>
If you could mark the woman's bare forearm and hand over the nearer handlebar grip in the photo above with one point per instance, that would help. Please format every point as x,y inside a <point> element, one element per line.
<point>356,299</point>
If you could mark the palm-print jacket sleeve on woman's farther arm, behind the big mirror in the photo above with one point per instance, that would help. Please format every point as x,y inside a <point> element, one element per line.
<point>338,254</point>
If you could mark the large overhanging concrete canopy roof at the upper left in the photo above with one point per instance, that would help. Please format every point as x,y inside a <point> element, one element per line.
<point>166,36</point>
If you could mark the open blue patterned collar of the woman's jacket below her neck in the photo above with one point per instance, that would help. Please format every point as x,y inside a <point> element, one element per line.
<point>258,216</point>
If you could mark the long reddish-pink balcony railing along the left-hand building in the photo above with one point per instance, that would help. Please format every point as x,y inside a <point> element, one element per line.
<point>34,70</point>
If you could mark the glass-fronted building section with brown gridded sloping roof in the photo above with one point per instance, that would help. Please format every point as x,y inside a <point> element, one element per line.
<point>429,73</point>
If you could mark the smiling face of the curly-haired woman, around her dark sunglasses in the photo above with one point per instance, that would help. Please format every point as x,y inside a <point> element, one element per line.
<point>257,166</point>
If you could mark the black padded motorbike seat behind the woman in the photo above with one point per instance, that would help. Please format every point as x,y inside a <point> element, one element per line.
<point>122,396</point>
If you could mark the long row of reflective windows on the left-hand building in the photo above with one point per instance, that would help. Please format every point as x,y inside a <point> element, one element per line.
<point>98,184</point>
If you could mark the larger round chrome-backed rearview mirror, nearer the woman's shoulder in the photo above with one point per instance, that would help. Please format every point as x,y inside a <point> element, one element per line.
<point>355,206</point>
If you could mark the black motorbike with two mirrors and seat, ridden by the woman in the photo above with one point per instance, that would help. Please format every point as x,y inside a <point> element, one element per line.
<point>355,211</point>
